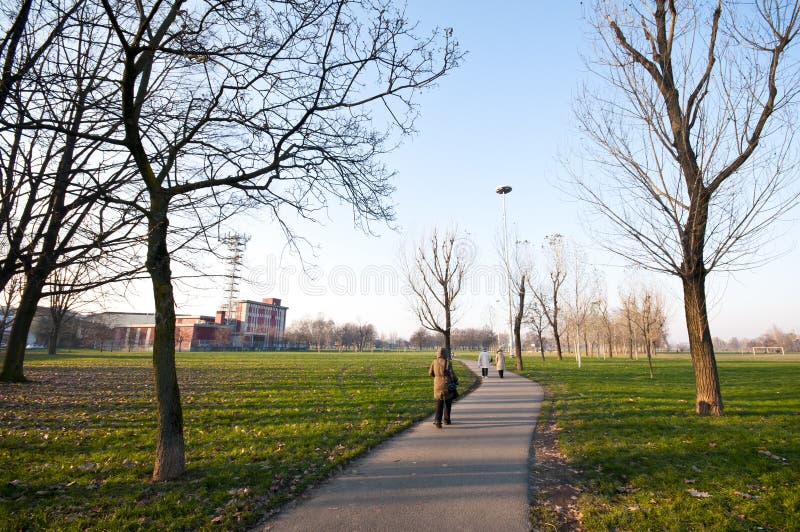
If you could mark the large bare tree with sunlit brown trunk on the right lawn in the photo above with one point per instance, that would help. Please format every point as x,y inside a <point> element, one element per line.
<point>693,153</point>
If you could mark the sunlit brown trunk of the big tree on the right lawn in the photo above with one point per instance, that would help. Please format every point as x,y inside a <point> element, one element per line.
<point>708,398</point>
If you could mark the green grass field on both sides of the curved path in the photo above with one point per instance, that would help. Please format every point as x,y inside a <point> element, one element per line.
<point>77,444</point>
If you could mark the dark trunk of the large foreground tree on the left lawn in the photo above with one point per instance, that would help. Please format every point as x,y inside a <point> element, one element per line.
<point>170,448</point>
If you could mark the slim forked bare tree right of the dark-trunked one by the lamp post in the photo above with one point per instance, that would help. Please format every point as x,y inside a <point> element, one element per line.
<point>548,293</point>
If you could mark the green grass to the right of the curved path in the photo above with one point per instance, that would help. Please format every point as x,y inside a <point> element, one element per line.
<point>640,448</point>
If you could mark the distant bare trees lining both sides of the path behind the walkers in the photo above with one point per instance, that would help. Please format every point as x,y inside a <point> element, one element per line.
<point>557,296</point>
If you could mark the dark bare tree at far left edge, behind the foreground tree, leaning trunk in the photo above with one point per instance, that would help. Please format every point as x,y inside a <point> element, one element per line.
<point>61,186</point>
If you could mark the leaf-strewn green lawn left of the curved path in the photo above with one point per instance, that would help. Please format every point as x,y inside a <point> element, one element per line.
<point>77,443</point>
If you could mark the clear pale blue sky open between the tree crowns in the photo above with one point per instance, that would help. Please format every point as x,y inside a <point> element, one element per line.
<point>502,118</point>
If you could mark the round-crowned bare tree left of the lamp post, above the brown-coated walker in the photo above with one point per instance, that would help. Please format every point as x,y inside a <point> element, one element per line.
<point>435,275</point>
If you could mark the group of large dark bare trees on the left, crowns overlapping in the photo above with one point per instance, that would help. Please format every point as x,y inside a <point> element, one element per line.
<point>130,130</point>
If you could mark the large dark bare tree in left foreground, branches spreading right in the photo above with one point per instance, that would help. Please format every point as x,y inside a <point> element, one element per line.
<point>229,105</point>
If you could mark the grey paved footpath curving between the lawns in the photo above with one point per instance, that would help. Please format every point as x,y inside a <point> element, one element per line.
<point>471,475</point>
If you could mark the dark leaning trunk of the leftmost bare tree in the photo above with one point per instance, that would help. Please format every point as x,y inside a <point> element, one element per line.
<point>18,336</point>
